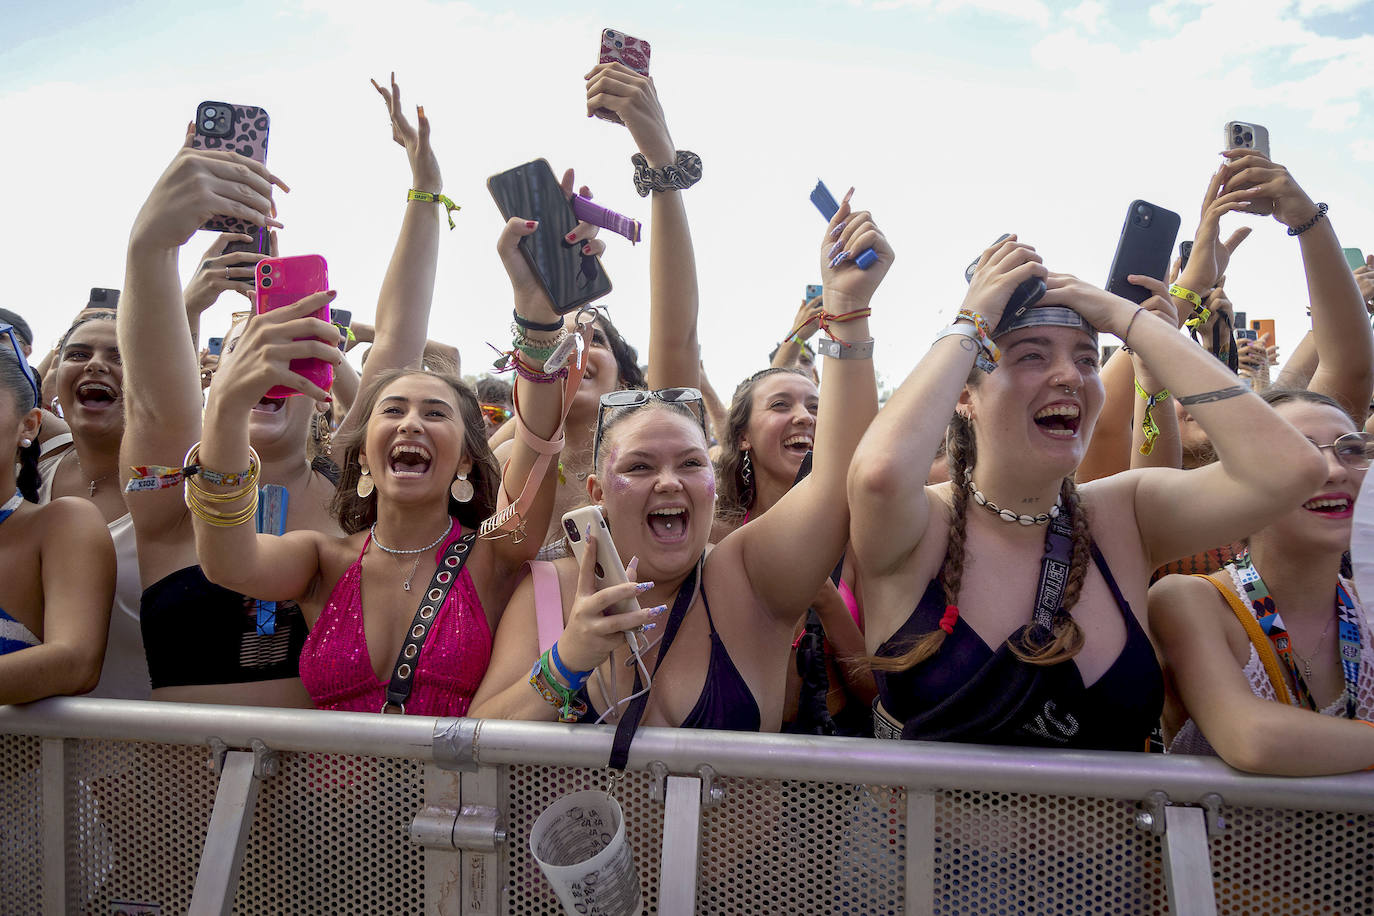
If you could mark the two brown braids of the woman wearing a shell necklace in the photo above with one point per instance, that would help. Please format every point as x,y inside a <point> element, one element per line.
<point>1067,637</point>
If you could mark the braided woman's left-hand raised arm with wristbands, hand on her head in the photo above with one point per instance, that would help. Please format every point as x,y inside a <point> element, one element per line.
<point>888,476</point>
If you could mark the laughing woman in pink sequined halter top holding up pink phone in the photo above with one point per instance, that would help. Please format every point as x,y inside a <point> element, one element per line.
<point>418,480</point>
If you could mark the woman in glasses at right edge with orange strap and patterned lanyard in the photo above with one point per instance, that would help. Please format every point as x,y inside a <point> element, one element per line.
<point>1307,617</point>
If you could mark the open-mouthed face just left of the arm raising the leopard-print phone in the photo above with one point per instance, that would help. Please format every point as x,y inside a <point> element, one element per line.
<point>91,380</point>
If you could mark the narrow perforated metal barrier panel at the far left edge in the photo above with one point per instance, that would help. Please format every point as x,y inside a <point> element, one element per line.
<point>21,825</point>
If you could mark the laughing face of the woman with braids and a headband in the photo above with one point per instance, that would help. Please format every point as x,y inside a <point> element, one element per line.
<point>1044,400</point>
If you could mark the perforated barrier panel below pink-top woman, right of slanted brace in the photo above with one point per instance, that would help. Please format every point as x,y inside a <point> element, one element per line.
<point>330,836</point>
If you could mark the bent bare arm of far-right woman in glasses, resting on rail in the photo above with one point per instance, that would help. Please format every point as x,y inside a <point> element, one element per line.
<point>1189,619</point>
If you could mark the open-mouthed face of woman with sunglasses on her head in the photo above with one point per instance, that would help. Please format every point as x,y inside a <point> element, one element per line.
<point>659,490</point>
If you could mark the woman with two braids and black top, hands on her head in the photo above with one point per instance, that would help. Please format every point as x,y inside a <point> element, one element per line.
<point>1008,605</point>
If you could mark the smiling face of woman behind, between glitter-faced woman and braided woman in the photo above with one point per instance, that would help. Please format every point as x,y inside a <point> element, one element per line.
<point>782,424</point>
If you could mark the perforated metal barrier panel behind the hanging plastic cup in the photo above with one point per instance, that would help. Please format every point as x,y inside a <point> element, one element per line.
<point>530,790</point>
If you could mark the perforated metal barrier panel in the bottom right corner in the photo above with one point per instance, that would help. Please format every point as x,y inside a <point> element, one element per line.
<point>1284,862</point>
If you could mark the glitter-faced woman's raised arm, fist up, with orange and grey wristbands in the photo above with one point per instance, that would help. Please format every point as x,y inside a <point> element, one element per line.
<point>788,551</point>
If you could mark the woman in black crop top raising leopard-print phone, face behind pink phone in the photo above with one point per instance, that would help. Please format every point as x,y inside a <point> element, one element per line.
<point>247,652</point>
